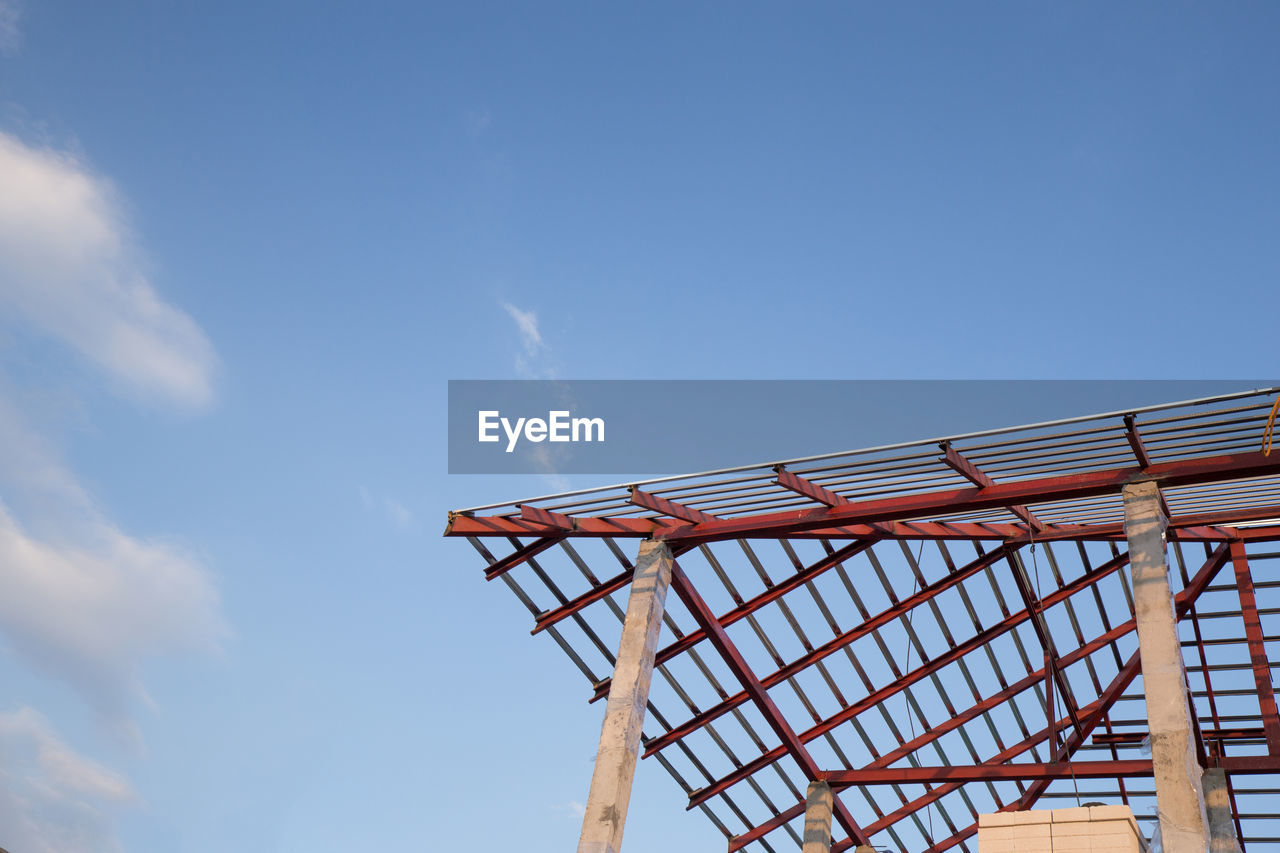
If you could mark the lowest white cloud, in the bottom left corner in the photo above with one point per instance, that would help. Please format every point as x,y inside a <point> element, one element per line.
<point>51,796</point>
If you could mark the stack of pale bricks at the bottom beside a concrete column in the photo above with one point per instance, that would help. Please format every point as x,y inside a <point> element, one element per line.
<point>1089,829</point>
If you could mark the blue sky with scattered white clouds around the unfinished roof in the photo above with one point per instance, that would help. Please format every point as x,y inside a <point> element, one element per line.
<point>244,248</point>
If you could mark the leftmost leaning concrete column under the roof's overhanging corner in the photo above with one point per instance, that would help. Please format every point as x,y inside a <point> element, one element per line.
<point>629,695</point>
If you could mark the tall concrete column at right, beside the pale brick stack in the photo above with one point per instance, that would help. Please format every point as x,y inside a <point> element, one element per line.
<point>1180,797</point>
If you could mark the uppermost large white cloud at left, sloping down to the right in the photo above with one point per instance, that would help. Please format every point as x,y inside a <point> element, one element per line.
<point>70,270</point>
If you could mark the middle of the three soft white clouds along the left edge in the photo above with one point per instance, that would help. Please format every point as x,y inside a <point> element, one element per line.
<point>85,601</point>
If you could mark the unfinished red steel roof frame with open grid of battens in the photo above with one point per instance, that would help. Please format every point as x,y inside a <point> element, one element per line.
<point>939,630</point>
